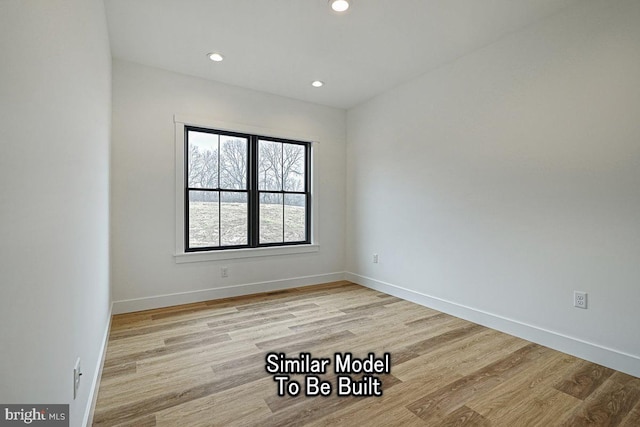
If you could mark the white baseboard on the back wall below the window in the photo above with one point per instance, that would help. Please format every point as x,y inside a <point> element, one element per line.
<point>139,304</point>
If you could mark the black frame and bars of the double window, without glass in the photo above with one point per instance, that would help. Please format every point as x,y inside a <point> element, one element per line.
<point>252,190</point>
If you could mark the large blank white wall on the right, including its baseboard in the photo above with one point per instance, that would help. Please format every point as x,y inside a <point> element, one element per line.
<point>507,179</point>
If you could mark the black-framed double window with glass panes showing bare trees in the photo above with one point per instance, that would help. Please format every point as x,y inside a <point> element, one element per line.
<point>244,191</point>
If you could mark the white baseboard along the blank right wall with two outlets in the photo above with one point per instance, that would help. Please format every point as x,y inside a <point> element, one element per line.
<point>592,352</point>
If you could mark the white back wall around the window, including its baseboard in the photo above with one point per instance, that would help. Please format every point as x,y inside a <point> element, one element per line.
<point>143,188</point>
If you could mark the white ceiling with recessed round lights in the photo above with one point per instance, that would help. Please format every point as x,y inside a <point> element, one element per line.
<point>280,46</point>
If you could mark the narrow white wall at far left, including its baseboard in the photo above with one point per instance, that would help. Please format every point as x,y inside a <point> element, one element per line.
<point>55,111</point>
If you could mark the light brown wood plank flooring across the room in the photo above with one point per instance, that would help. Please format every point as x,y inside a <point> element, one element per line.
<point>204,365</point>
